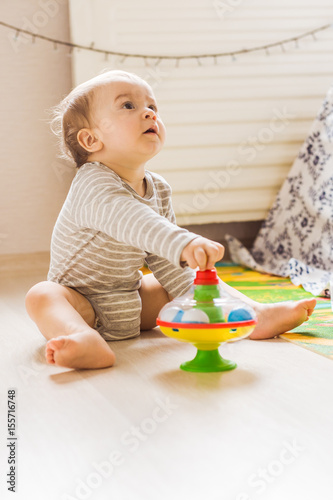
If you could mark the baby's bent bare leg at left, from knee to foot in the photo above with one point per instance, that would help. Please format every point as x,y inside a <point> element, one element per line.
<point>66,319</point>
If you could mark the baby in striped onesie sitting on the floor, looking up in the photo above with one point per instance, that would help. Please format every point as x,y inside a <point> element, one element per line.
<point>118,216</point>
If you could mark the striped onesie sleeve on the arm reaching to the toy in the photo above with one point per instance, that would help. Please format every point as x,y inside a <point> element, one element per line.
<point>105,204</point>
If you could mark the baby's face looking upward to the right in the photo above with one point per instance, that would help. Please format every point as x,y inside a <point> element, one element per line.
<point>127,122</point>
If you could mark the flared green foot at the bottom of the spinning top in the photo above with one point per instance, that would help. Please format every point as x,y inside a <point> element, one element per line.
<point>208,361</point>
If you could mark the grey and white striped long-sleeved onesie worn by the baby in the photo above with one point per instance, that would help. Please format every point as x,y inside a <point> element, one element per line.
<point>105,233</point>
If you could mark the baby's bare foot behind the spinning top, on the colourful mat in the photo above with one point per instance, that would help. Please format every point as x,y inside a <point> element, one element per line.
<point>281,317</point>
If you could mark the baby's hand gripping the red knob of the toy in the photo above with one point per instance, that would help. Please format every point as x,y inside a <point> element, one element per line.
<point>203,253</point>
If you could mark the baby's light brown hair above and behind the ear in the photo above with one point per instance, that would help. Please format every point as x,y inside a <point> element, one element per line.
<point>74,113</point>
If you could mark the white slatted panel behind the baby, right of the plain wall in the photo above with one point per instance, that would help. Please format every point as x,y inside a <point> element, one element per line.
<point>224,114</point>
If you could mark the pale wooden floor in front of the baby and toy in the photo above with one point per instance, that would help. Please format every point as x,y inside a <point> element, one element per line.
<point>145,430</point>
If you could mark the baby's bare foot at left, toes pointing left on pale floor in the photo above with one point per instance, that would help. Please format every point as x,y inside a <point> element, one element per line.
<point>79,350</point>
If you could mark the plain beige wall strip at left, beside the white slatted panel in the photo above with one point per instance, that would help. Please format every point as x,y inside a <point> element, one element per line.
<point>34,77</point>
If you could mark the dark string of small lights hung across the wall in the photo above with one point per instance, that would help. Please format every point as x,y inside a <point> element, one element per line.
<point>160,58</point>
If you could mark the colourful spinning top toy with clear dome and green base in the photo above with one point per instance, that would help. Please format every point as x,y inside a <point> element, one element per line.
<point>207,316</point>
